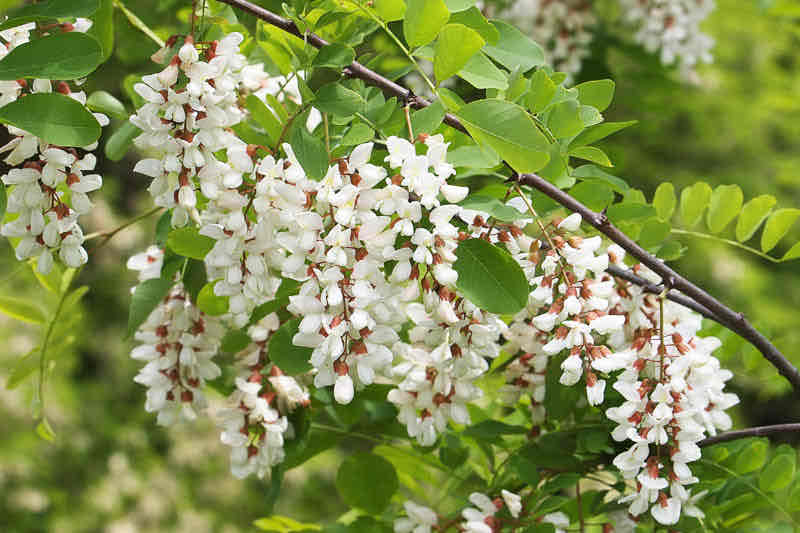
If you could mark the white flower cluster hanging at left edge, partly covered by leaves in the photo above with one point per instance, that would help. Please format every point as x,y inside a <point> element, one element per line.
<point>50,183</point>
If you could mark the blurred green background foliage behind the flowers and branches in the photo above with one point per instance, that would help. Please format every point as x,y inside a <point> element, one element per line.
<point>111,469</point>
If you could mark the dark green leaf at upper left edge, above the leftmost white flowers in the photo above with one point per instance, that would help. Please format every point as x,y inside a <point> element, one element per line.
<point>63,56</point>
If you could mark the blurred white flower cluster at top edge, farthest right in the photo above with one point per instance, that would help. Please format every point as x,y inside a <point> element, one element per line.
<point>672,28</point>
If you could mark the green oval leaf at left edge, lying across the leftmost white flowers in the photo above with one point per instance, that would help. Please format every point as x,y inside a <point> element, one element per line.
<point>56,118</point>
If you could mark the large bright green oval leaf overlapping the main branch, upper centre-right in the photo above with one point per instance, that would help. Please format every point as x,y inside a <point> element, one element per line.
<point>509,130</point>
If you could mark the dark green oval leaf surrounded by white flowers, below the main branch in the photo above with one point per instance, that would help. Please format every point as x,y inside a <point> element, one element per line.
<point>490,278</point>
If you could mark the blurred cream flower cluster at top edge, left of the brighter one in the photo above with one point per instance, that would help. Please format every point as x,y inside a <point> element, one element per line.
<point>562,27</point>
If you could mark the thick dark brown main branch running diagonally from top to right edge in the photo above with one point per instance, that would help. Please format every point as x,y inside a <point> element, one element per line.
<point>721,313</point>
